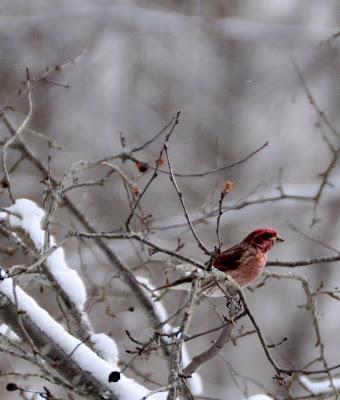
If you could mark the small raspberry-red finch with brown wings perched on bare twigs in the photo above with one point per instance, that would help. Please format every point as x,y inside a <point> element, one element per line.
<point>243,262</point>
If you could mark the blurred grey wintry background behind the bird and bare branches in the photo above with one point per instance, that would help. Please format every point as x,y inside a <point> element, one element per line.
<point>229,66</point>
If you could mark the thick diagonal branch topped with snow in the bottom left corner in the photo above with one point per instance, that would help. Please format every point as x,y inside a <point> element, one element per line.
<point>70,356</point>
